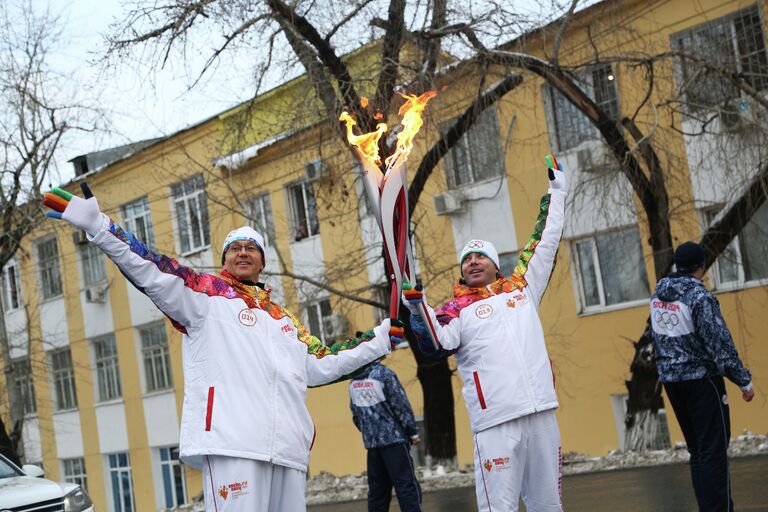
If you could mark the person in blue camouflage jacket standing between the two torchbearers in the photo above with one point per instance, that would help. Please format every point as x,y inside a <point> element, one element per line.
<point>382,412</point>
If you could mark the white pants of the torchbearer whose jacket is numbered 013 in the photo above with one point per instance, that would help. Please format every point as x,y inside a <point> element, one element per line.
<point>520,457</point>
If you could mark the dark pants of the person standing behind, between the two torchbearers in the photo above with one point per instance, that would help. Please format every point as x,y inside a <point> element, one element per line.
<point>388,466</point>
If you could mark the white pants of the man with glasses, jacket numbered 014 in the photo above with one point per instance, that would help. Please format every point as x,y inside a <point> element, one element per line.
<point>245,485</point>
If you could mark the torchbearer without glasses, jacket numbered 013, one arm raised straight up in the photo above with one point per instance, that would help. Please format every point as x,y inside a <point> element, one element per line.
<point>492,327</point>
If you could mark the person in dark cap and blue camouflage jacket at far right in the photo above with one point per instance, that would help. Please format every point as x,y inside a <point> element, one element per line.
<point>694,350</point>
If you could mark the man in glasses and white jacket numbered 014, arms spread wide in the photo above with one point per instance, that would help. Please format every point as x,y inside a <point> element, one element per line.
<point>247,363</point>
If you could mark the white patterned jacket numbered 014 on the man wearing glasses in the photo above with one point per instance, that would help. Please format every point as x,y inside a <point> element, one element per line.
<point>247,361</point>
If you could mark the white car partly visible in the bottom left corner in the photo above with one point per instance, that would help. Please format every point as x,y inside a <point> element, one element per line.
<point>23,489</point>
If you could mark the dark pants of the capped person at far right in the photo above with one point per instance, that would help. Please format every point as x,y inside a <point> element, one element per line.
<point>701,407</point>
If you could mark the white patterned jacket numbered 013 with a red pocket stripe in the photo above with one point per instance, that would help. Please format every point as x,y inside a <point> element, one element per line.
<point>496,334</point>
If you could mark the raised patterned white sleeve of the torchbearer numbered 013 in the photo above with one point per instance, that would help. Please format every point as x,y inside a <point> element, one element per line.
<point>537,259</point>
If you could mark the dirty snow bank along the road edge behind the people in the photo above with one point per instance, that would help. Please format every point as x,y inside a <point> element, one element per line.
<point>327,488</point>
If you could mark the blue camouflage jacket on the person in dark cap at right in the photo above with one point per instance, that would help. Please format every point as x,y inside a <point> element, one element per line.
<point>690,337</point>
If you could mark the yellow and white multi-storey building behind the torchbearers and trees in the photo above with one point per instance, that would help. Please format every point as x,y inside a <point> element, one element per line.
<point>105,366</point>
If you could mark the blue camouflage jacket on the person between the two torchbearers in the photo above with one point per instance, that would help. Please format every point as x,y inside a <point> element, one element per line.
<point>380,408</point>
